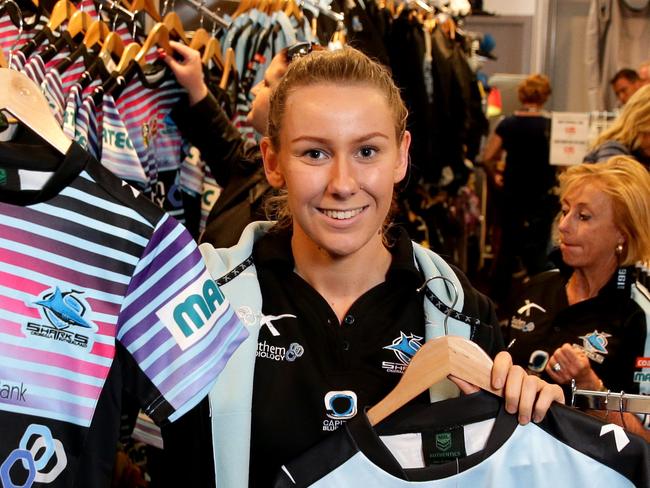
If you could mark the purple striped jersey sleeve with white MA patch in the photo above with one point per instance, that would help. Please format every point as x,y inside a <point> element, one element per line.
<point>176,324</point>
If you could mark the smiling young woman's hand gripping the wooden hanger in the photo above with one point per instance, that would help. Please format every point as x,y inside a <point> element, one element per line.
<point>526,395</point>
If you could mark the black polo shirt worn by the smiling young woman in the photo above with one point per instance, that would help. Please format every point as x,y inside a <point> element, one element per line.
<point>318,373</point>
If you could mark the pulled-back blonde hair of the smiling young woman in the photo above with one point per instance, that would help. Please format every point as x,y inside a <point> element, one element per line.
<point>346,66</point>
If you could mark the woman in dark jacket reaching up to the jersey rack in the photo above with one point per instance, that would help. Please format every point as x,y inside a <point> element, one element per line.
<point>237,168</point>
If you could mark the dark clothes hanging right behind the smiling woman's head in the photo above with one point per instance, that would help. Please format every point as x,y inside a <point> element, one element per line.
<point>429,54</point>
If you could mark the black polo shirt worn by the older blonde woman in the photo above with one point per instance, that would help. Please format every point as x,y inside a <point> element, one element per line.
<point>610,327</point>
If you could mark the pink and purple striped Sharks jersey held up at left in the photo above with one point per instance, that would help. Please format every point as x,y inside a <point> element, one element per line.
<point>99,291</point>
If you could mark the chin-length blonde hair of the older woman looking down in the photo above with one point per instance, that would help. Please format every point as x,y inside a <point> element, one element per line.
<point>627,183</point>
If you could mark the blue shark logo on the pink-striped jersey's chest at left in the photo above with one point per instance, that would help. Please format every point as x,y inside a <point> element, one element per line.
<point>63,310</point>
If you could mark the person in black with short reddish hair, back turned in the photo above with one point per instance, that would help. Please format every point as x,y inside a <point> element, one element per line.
<point>528,206</point>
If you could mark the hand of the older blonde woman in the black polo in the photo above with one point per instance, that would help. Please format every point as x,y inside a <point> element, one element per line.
<point>567,363</point>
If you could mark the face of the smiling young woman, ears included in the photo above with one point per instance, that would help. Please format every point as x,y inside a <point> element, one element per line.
<point>339,159</point>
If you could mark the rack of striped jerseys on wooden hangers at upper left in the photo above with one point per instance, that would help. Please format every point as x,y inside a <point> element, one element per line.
<point>110,97</point>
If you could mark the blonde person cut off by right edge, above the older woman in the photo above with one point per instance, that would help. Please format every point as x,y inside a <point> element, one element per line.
<point>630,133</point>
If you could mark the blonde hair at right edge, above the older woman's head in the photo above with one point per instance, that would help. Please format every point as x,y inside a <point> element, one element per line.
<point>631,122</point>
